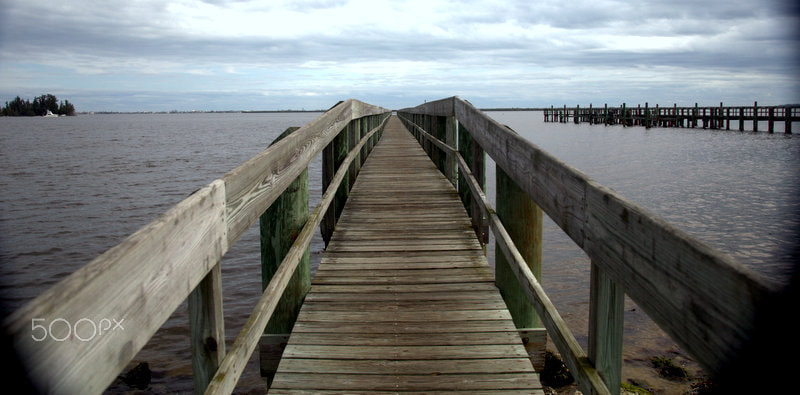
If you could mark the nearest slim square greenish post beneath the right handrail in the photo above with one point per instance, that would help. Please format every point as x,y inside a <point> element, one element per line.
<point>606,311</point>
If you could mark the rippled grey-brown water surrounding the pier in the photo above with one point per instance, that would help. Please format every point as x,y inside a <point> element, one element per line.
<point>70,188</point>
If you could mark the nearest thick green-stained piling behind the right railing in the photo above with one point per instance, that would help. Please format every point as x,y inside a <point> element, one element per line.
<point>522,218</point>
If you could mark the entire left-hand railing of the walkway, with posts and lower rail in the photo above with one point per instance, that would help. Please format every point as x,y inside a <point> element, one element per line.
<point>80,334</point>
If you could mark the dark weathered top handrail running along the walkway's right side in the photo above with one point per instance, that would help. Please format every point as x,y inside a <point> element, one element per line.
<point>702,298</point>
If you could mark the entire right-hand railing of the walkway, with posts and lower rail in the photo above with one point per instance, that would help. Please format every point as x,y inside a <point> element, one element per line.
<point>702,298</point>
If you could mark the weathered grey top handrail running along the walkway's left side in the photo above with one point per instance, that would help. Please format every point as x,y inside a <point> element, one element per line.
<point>80,334</point>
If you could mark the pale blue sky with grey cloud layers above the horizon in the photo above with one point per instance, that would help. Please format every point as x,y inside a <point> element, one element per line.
<point>309,54</point>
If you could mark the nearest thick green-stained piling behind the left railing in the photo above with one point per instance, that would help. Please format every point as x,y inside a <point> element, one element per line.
<point>280,225</point>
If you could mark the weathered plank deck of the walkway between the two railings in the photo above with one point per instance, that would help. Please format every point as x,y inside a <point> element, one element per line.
<point>404,299</point>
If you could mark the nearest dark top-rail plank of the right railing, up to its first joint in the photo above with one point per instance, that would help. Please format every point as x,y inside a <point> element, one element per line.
<point>705,300</point>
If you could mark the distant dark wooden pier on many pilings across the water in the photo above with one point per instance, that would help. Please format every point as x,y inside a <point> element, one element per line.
<point>679,117</point>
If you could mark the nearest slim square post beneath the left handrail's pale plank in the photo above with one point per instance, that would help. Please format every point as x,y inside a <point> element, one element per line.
<point>207,327</point>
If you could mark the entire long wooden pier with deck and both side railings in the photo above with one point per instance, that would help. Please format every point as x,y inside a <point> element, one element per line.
<point>404,299</point>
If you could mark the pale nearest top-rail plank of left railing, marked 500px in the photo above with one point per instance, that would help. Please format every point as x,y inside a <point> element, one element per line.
<point>136,284</point>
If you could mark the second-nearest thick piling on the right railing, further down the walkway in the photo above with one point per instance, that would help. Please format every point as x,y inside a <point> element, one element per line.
<point>476,160</point>
